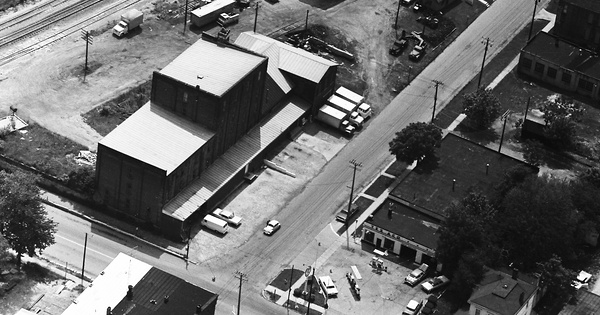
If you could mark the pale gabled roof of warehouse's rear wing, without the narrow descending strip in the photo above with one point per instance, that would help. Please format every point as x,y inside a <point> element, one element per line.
<point>291,59</point>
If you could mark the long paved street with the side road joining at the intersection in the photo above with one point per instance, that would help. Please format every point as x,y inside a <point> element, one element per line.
<point>306,215</point>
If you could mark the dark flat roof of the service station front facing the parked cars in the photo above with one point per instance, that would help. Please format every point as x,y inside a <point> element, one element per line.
<point>402,220</point>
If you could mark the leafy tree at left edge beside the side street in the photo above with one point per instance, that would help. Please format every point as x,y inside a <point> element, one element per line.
<point>23,219</point>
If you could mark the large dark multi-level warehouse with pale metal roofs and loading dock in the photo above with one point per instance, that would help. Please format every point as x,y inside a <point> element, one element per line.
<point>214,112</point>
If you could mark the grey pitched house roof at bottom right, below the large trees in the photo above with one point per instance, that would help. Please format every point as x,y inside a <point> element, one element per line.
<point>501,294</point>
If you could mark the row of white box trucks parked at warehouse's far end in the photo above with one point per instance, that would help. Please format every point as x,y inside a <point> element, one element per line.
<point>345,110</point>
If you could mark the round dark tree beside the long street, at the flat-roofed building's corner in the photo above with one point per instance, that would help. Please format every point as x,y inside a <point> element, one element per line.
<point>416,142</point>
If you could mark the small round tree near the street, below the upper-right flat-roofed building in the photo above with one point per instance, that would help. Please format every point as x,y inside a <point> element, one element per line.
<point>481,107</point>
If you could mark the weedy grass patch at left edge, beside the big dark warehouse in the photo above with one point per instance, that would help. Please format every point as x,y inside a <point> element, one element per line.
<point>42,149</point>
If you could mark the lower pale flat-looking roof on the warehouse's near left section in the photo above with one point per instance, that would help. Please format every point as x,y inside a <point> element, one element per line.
<point>157,137</point>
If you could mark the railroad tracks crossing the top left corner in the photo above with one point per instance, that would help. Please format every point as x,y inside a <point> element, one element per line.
<point>53,18</point>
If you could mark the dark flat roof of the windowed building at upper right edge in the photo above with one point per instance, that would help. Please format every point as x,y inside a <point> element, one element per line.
<point>564,54</point>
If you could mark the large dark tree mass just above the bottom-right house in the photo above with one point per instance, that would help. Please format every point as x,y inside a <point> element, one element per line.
<point>538,220</point>
